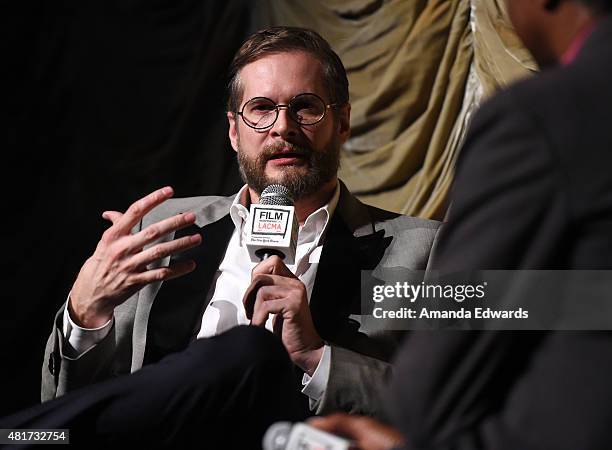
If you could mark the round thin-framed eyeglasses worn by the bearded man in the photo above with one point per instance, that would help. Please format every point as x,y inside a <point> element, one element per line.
<point>306,109</point>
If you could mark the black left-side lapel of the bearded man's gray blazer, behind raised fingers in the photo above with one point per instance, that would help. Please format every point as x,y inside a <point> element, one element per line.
<point>179,302</point>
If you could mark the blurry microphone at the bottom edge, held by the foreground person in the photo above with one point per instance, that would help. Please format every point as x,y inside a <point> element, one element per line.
<point>300,436</point>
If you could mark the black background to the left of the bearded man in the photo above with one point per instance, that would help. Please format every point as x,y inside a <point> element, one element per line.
<point>105,101</point>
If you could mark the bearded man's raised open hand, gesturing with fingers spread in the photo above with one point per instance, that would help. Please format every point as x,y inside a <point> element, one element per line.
<point>118,267</point>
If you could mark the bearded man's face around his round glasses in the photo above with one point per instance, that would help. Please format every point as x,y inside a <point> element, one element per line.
<point>304,158</point>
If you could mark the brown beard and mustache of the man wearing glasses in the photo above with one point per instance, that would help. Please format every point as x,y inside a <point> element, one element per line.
<point>321,167</point>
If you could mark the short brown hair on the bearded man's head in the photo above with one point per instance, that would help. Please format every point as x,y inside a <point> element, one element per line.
<point>276,40</point>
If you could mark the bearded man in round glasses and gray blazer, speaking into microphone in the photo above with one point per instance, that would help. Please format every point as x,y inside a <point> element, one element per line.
<point>138,302</point>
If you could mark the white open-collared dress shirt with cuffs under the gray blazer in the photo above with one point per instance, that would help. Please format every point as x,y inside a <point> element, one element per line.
<point>225,309</point>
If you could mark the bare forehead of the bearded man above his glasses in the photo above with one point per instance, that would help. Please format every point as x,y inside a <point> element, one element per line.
<point>282,74</point>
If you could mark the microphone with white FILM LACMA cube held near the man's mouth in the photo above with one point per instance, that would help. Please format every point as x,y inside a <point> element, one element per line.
<point>273,226</point>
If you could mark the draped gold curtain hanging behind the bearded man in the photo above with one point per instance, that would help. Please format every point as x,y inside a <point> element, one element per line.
<point>417,70</point>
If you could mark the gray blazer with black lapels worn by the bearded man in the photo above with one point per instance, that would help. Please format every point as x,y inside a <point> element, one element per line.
<point>359,238</point>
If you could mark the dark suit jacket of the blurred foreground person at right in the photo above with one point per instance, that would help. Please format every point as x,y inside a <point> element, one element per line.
<point>533,191</point>
